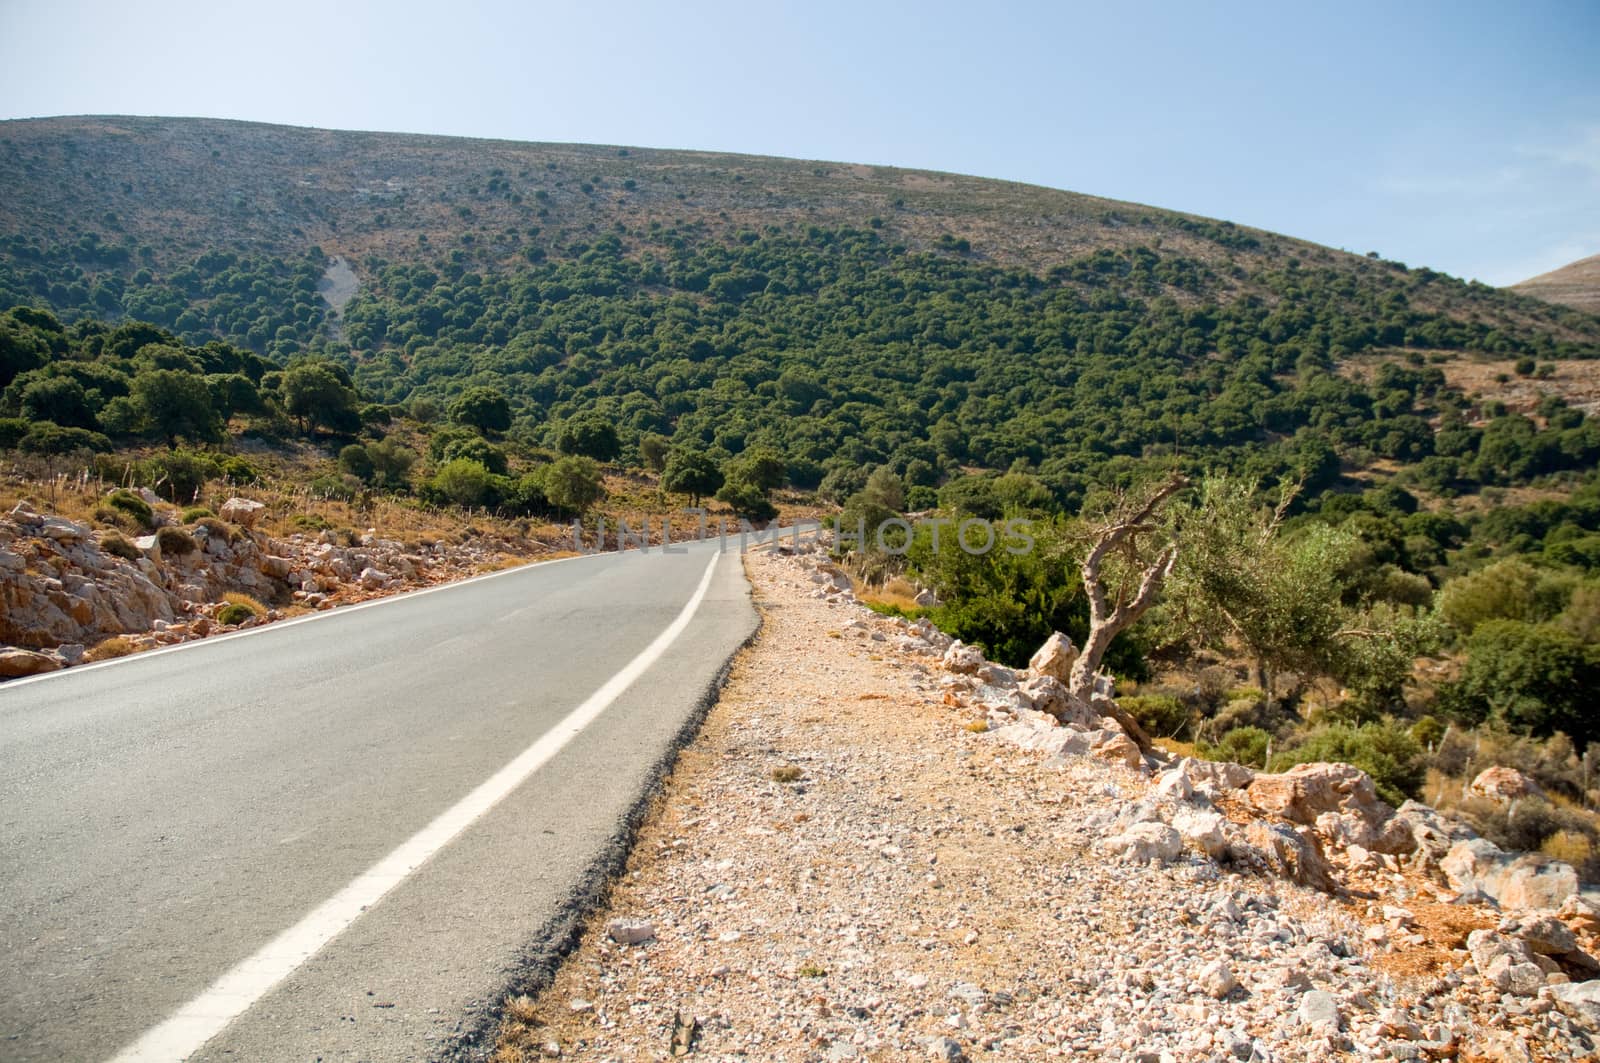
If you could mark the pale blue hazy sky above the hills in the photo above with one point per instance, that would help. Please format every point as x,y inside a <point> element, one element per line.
<point>1465,137</point>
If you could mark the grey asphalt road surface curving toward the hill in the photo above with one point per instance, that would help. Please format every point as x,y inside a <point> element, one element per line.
<point>167,817</point>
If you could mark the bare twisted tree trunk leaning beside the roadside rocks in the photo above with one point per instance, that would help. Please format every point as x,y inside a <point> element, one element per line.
<point>1108,617</point>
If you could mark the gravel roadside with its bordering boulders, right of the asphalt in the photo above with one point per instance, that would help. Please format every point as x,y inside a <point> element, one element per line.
<point>886,848</point>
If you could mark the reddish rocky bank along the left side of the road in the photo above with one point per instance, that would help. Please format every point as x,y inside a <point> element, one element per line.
<point>66,588</point>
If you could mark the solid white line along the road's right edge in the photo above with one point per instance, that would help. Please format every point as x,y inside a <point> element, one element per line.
<point>230,997</point>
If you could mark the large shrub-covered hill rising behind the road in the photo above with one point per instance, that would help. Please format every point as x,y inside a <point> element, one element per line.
<point>838,315</point>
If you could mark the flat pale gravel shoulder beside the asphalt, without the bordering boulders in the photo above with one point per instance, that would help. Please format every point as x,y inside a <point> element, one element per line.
<point>849,865</point>
